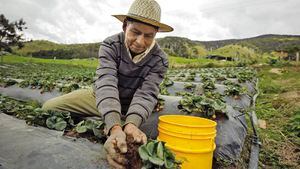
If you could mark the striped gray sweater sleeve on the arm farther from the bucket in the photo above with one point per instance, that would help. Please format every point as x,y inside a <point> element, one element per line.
<point>107,93</point>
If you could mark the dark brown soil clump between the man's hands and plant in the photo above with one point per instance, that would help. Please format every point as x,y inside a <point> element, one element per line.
<point>132,155</point>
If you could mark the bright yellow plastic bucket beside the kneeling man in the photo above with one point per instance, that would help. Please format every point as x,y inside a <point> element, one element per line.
<point>191,138</point>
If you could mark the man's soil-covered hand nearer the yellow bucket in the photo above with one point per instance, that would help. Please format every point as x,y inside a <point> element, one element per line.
<point>133,131</point>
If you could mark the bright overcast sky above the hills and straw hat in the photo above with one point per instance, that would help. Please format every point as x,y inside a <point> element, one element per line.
<point>89,21</point>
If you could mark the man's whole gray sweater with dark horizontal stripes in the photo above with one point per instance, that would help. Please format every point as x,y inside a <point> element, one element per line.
<point>124,89</point>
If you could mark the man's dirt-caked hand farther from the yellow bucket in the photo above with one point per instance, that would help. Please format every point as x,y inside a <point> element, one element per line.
<point>115,147</point>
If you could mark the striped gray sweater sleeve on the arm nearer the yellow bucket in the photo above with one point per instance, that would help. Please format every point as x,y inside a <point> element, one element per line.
<point>145,98</point>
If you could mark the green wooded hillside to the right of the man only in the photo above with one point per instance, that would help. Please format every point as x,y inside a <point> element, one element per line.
<point>260,44</point>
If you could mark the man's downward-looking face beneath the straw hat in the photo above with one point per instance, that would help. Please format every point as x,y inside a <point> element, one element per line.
<point>139,36</point>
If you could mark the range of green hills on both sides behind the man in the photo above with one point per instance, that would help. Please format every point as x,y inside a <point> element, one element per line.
<point>247,48</point>
